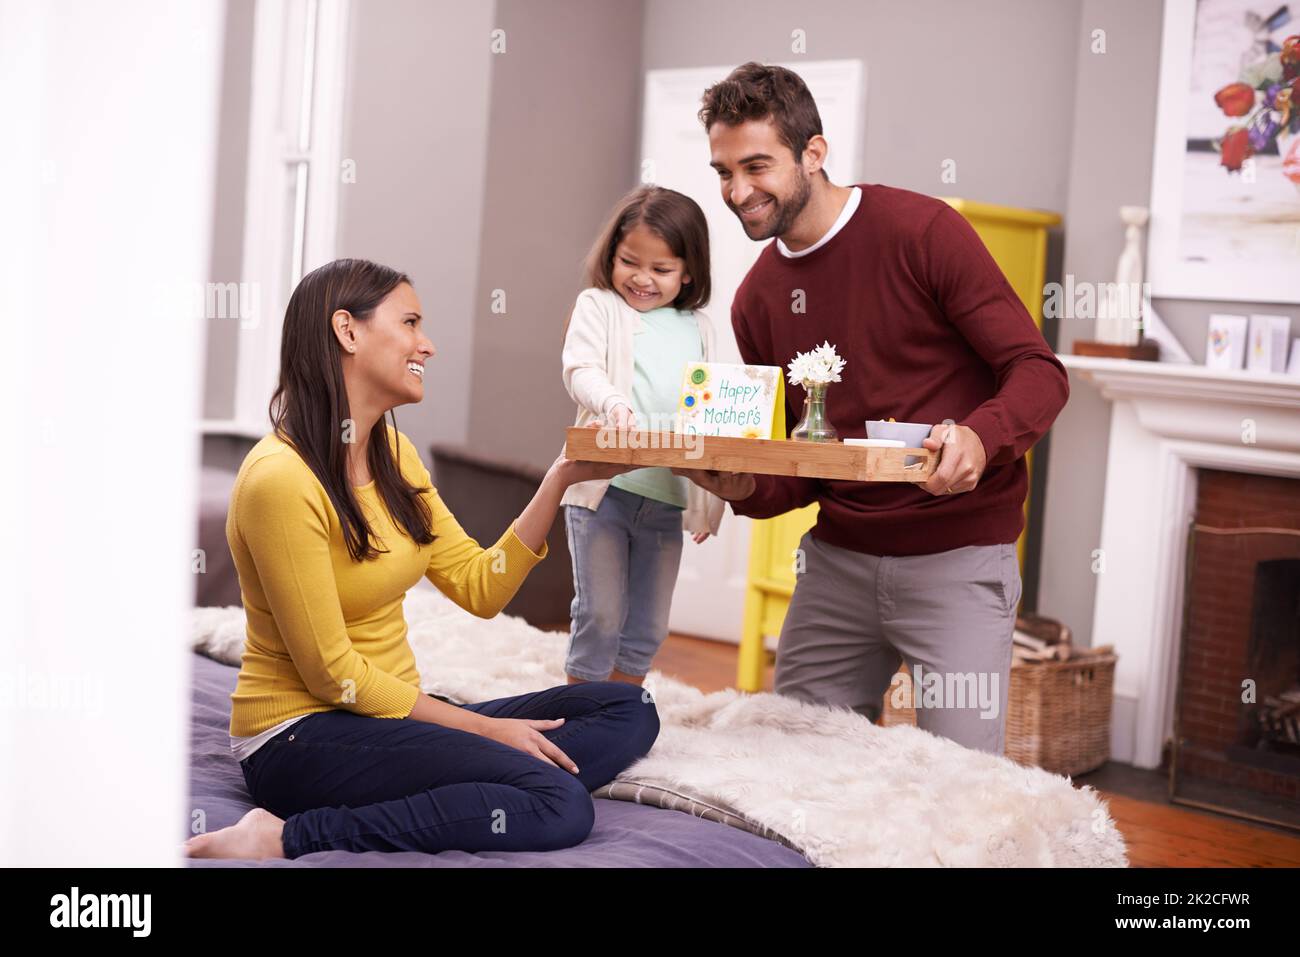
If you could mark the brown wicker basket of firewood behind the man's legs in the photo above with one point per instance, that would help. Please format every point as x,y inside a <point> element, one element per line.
<point>1058,713</point>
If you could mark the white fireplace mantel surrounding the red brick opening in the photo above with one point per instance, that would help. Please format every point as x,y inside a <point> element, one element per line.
<point>1167,422</point>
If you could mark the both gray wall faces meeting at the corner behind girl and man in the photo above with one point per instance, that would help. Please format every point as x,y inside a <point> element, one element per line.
<point>566,105</point>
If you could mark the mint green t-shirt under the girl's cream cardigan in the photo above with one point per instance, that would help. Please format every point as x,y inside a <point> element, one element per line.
<point>669,340</point>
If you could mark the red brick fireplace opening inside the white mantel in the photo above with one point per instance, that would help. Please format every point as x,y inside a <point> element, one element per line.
<point>1237,742</point>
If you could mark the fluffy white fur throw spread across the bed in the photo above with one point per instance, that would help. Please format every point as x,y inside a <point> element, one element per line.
<point>842,790</point>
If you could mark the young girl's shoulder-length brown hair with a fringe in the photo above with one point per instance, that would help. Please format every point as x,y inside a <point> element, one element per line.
<point>674,218</point>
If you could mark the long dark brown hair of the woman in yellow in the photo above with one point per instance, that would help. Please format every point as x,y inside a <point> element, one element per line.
<point>310,409</point>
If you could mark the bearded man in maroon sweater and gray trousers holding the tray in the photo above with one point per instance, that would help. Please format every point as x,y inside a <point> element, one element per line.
<point>931,334</point>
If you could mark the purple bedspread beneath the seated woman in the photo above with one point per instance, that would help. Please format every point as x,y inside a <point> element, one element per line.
<point>626,834</point>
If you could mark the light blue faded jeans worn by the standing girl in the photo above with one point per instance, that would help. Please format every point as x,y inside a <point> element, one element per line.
<point>626,560</point>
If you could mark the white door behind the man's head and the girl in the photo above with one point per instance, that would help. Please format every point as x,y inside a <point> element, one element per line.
<point>710,592</point>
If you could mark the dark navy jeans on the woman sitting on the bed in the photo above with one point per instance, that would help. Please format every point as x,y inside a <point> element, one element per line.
<point>346,782</point>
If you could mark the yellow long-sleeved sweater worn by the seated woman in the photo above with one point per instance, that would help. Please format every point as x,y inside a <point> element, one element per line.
<point>326,633</point>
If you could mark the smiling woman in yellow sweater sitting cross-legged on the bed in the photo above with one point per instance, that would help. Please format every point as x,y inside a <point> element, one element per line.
<point>332,521</point>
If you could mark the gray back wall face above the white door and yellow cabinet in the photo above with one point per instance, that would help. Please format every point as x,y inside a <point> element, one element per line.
<point>942,81</point>
